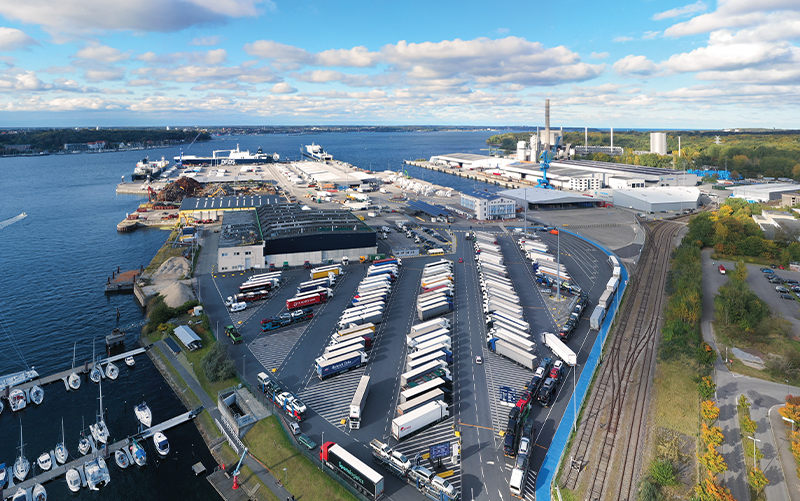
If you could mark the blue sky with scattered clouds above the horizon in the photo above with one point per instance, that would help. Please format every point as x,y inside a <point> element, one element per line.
<point>642,64</point>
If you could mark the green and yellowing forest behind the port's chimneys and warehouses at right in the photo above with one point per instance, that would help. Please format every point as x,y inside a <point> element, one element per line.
<point>747,154</point>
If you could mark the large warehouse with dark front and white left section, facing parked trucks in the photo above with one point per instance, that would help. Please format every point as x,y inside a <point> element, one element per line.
<point>286,235</point>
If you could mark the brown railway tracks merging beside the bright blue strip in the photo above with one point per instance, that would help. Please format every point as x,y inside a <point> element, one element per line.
<point>607,449</point>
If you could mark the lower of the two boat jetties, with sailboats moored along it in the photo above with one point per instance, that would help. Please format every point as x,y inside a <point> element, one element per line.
<point>107,453</point>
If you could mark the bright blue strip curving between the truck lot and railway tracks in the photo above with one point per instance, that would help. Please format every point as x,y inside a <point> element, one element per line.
<point>557,447</point>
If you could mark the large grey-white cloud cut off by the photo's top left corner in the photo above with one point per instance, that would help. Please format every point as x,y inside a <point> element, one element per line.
<point>76,16</point>
